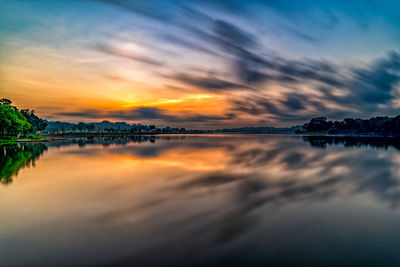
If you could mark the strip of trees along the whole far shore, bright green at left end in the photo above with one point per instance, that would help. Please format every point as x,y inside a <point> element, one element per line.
<point>24,126</point>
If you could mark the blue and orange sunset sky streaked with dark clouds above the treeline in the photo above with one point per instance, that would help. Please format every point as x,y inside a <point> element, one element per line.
<point>201,64</point>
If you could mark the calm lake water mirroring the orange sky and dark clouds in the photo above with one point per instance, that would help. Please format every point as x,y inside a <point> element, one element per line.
<point>201,200</point>
